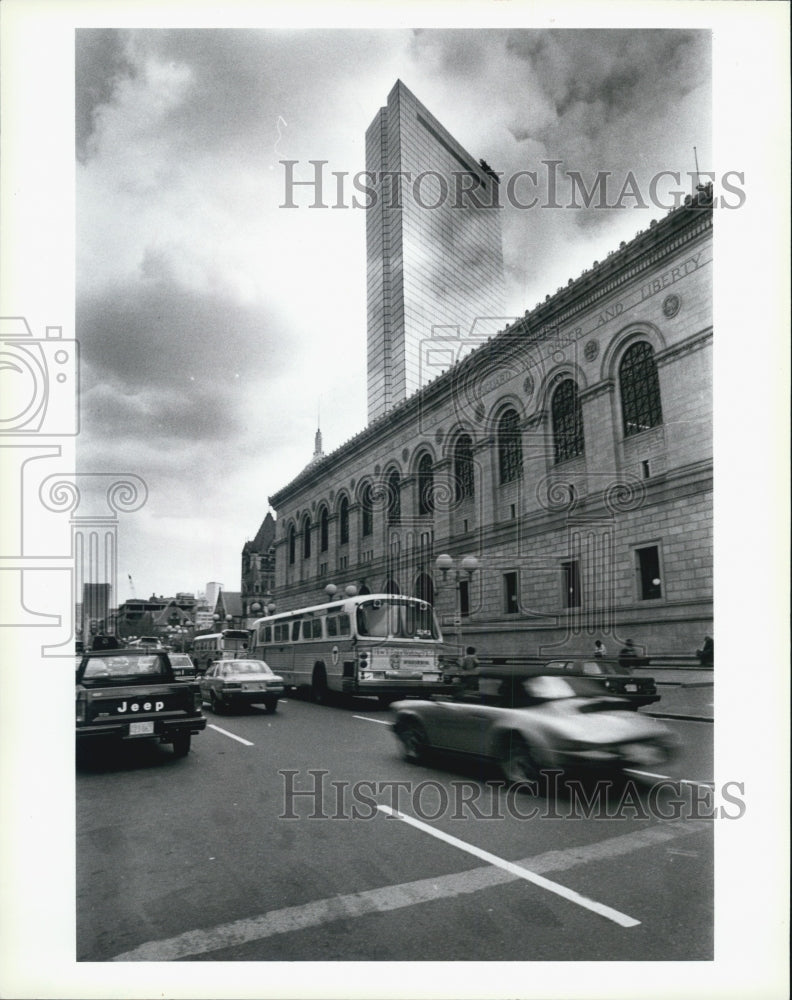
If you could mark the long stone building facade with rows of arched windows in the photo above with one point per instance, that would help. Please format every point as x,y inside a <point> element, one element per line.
<point>571,455</point>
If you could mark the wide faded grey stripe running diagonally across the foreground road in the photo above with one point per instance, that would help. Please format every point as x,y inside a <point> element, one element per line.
<point>395,897</point>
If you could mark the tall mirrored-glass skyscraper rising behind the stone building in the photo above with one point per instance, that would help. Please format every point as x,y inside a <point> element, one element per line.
<point>433,240</point>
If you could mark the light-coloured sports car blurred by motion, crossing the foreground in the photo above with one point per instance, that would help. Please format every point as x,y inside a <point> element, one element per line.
<point>535,722</point>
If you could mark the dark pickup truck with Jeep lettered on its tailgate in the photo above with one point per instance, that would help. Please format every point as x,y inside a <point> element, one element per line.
<point>132,694</point>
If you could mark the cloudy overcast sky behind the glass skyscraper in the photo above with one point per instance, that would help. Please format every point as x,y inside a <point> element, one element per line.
<point>216,326</point>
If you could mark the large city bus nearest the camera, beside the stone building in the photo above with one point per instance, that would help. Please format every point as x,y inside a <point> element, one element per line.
<point>385,645</point>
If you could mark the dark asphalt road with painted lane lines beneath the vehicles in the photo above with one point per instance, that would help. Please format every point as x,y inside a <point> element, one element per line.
<point>214,858</point>
